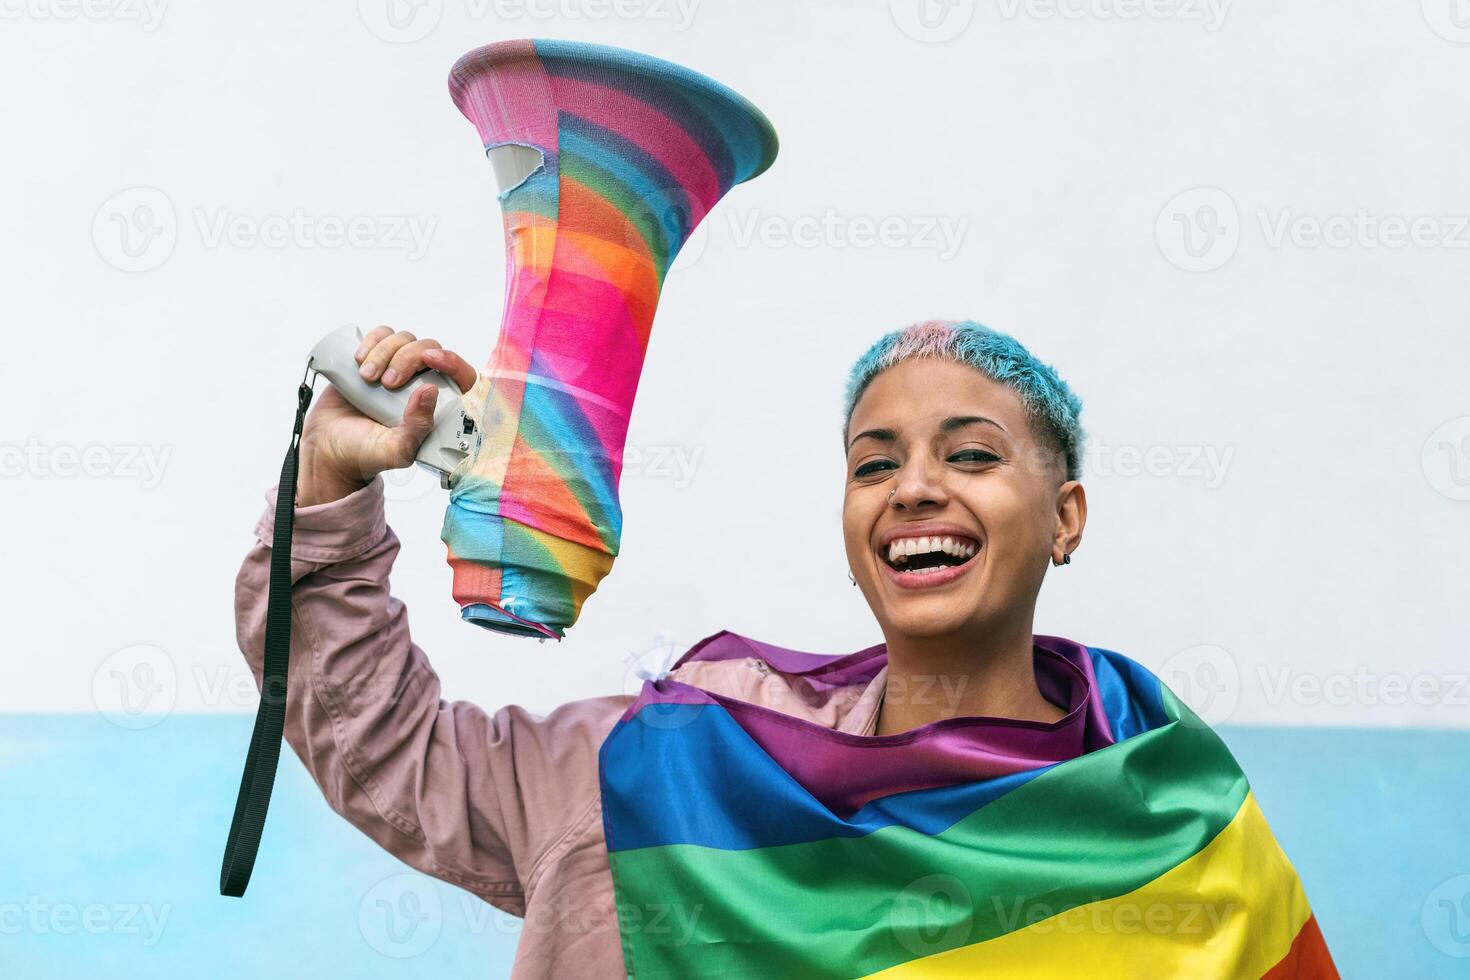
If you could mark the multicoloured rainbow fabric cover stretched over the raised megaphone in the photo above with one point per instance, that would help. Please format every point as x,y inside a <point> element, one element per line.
<point>636,152</point>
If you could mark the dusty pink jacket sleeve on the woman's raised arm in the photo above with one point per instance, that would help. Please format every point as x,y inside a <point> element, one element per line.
<point>470,797</point>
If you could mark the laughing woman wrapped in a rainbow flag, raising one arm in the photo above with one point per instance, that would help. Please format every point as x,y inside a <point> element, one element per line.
<point>965,799</point>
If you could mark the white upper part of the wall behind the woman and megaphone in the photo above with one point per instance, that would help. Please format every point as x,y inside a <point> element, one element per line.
<point>1303,518</point>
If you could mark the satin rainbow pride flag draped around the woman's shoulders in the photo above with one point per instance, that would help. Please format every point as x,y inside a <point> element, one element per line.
<point>1122,841</point>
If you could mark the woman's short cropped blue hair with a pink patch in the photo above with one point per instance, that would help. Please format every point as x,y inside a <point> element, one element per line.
<point>1052,406</point>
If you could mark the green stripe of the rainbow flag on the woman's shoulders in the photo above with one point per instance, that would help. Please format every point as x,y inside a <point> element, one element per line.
<point>1090,829</point>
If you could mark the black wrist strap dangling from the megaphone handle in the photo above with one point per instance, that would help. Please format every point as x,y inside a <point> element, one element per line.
<point>265,740</point>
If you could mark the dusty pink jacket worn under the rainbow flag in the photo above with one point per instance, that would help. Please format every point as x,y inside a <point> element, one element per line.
<point>503,804</point>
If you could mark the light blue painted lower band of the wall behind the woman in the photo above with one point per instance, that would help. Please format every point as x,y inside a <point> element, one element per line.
<point>111,844</point>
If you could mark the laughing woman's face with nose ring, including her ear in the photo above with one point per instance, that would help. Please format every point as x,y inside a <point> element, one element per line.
<point>942,464</point>
